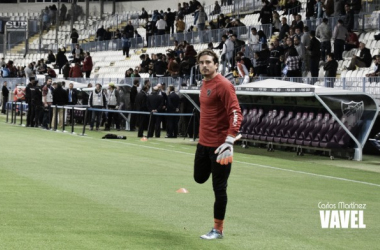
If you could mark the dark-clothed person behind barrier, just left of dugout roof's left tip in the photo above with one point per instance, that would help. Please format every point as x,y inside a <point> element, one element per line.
<point>172,107</point>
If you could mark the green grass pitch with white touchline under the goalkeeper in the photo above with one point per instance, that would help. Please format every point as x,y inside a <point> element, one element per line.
<point>63,191</point>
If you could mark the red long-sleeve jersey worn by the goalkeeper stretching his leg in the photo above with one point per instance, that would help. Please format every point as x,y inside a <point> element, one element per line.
<point>220,112</point>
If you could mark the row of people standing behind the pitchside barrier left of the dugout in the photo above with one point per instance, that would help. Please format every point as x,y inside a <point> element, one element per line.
<point>42,100</point>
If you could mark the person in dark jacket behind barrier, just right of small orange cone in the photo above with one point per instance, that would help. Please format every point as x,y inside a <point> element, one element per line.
<point>154,104</point>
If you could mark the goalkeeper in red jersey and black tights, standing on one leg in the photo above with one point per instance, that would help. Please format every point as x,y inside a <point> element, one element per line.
<point>220,120</point>
